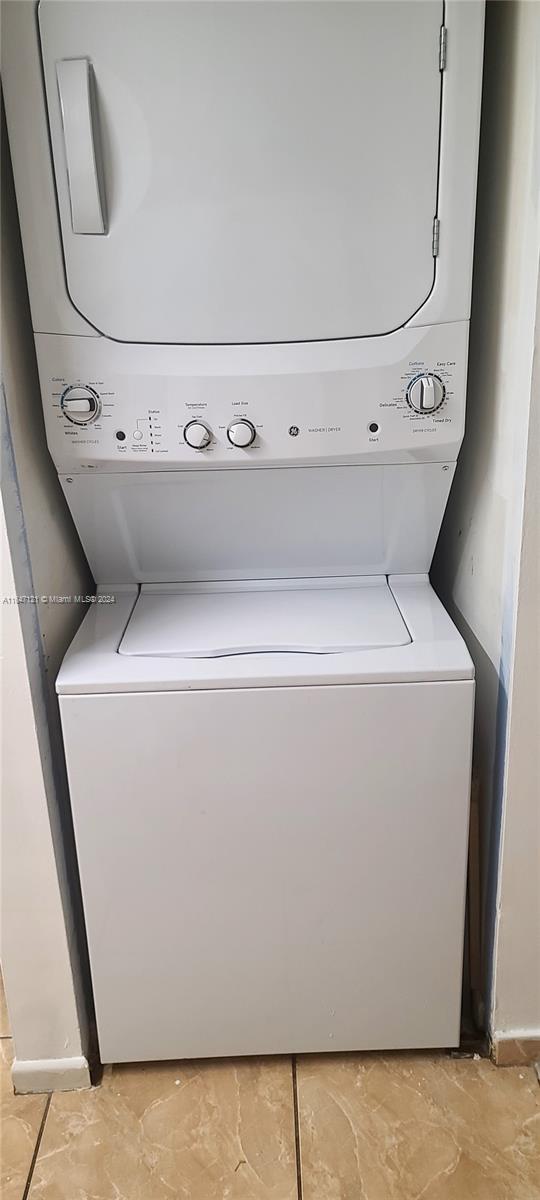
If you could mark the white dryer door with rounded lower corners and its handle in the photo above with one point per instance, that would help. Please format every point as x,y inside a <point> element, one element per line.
<point>233,172</point>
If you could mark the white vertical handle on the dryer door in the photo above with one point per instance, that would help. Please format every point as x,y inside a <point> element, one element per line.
<point>76,86</point>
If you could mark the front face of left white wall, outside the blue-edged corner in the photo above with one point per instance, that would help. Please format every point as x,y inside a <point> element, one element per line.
<point>35,953</point>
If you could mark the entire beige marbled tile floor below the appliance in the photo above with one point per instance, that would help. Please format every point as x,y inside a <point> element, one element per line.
<point>337,1127</point>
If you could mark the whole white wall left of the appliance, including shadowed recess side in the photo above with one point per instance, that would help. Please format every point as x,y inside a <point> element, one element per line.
<point>44,941</point>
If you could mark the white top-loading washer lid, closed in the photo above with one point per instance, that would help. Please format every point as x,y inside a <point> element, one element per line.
<point>201,621</point>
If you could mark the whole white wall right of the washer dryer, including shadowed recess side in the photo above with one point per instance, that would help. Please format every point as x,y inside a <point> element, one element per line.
<point>483,560</point>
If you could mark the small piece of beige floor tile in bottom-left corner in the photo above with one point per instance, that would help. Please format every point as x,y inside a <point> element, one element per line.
<point>21,1118</point>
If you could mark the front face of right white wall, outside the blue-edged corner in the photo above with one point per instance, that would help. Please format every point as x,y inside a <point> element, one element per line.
<point>517,993</point>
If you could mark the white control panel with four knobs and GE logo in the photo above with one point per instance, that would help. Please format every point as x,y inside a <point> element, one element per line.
<point>118,407</point>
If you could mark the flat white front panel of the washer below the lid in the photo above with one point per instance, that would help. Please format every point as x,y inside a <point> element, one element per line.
<point>275,871</point>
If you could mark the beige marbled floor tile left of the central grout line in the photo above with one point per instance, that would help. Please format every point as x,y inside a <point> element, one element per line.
<point>214,1131</point>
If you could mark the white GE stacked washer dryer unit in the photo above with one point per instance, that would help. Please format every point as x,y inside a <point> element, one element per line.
<point>249,235</point>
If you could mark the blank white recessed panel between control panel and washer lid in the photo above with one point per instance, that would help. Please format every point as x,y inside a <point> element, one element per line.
<point>308,521</point>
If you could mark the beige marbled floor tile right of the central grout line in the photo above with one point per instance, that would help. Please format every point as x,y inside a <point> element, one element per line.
<point>413,1127</point>
